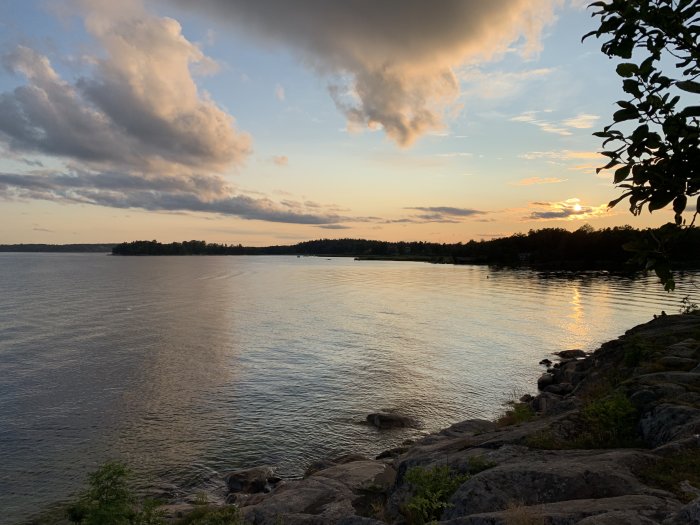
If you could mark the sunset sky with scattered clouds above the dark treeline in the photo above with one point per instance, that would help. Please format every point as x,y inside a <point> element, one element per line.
<point>274,121</point>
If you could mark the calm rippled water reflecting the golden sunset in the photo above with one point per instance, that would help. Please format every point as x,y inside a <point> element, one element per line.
<point>187,367</point>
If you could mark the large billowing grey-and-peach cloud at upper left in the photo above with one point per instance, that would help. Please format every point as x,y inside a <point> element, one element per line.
<point>139,107</point>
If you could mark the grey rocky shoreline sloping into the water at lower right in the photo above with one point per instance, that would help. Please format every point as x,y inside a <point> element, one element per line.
<point>612,438</point>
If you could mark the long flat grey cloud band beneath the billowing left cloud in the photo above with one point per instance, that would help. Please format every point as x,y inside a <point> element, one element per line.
<point>160,193</point>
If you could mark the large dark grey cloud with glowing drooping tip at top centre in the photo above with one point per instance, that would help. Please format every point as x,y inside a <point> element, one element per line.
<point>391,63</point>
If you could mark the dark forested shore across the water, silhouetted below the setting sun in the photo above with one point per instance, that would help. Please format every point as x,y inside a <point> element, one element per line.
<point>548,248</point>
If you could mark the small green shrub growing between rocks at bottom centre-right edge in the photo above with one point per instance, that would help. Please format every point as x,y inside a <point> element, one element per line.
<point>432,491</point>
